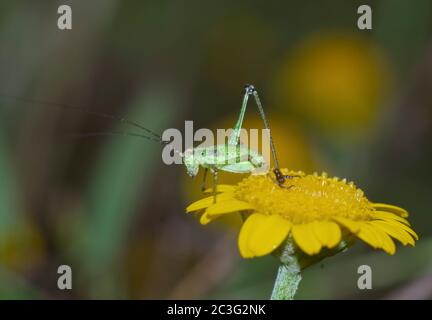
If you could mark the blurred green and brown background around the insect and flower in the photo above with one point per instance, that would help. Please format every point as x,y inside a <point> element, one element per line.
<point>357,104</point>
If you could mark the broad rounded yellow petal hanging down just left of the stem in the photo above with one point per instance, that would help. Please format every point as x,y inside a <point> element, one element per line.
<point>268,234</point>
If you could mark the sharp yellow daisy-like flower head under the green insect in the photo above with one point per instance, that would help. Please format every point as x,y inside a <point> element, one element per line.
<point>315,211</point>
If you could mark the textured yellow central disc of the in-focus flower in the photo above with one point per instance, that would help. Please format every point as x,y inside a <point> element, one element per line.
<point>306,198</point>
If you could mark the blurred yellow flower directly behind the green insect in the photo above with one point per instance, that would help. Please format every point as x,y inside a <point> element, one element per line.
<point>291,146</point>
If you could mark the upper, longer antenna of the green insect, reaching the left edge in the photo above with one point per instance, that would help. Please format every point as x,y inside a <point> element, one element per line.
<point>85,110</point>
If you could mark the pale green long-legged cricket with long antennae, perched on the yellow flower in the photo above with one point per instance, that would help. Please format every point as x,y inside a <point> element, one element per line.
<point>231,157</point>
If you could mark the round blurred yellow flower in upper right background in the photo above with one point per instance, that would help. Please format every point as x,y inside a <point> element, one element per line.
<point>336,81</point>
